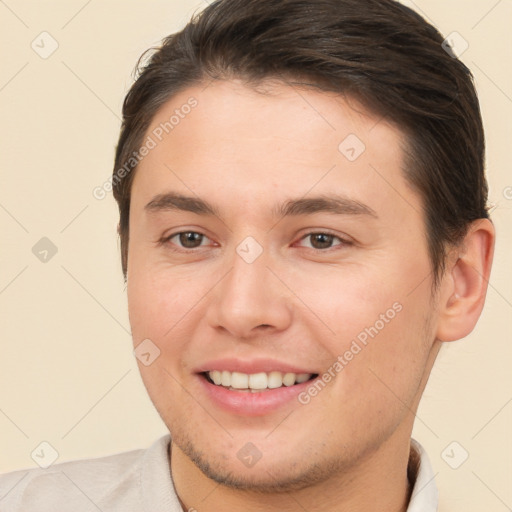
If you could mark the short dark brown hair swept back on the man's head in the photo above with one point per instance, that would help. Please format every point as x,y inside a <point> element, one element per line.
<point>377,51</point>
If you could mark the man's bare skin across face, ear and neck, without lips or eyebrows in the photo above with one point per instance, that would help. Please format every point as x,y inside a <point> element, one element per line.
<point>246,154</point>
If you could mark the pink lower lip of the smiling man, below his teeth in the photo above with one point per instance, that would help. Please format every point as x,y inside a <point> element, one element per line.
<point>247,403</point>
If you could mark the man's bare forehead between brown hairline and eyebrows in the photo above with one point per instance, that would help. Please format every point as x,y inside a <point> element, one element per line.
<point>229,140</point>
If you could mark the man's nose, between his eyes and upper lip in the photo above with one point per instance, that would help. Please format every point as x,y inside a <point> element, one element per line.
<point>249,301</point>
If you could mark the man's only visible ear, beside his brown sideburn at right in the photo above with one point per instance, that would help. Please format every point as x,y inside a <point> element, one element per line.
<point>464,284</point>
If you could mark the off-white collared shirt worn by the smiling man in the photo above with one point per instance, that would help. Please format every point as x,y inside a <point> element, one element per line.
<point>135,481</point>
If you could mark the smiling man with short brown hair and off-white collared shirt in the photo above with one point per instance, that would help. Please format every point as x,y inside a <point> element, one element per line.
<point>303,223</point>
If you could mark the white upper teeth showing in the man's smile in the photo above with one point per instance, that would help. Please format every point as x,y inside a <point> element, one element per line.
<point>261,380</point>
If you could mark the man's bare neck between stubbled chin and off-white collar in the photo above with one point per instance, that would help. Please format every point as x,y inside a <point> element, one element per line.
<point>378,482</point>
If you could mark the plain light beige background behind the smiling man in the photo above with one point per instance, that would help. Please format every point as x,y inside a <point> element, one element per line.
<point>67,374</point>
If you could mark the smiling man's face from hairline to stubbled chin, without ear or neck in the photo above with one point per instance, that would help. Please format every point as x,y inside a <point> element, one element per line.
<point>275,279</point>
